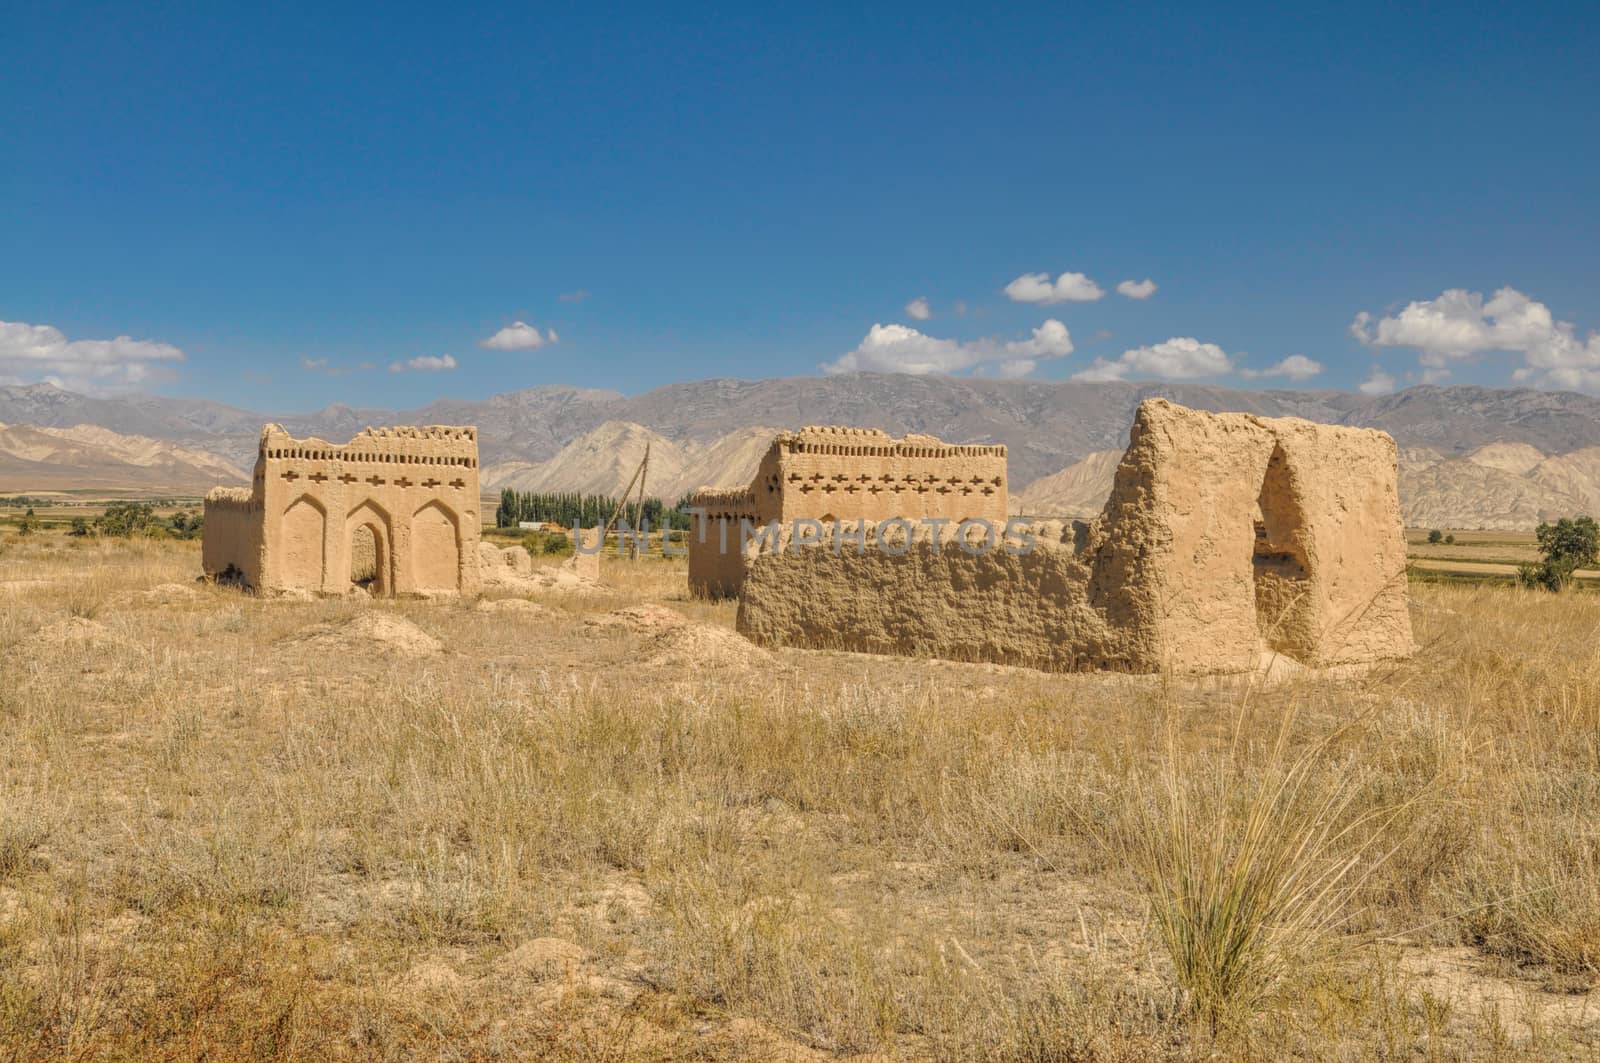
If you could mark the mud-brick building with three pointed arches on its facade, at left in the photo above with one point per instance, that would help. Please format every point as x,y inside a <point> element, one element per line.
<point>396,510</point>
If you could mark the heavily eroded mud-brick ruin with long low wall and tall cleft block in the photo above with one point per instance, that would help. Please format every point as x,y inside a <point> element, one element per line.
<point>1230,540</point>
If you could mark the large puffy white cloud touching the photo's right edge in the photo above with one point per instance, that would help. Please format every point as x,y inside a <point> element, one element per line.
<point>1462,326</point>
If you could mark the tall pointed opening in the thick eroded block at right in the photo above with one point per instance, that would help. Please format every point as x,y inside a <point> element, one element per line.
<point>1281,566</point>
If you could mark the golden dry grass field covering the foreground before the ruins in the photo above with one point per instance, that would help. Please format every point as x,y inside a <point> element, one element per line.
<point>607,828</point>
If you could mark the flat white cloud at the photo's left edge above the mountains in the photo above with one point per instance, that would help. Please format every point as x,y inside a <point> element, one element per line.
<point>41,353</point>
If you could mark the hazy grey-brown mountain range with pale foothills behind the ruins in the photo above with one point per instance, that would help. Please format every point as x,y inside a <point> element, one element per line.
<point>714,431</point>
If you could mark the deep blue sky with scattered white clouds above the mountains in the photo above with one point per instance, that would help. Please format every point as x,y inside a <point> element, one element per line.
<point>254,206</point>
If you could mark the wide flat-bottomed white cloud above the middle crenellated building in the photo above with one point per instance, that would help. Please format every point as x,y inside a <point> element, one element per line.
<point>903,350</point>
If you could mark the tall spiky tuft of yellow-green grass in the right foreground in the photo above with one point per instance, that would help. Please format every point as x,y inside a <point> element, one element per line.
<point>1250,872</point>
